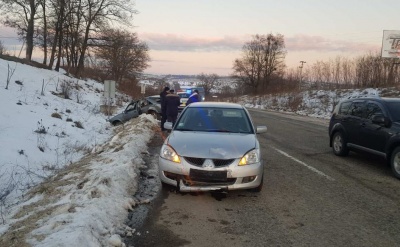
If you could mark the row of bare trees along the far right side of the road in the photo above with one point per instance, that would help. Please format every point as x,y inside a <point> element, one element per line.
<point>261,69</point>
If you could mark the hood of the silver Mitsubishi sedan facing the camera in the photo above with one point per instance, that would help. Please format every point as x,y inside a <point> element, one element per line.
<point>211,144</point>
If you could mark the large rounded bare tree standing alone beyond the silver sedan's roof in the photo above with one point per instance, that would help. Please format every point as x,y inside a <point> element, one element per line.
<point>262,57</point>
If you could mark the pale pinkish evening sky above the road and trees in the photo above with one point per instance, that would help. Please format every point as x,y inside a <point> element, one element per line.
<point>192,37</point>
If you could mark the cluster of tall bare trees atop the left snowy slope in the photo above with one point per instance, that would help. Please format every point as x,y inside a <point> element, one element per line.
<point>75,33</point>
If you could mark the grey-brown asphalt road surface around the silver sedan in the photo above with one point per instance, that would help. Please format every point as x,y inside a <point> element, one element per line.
<point>310,198</point>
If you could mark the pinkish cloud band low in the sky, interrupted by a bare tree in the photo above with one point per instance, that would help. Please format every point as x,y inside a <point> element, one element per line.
<point>296,43</point>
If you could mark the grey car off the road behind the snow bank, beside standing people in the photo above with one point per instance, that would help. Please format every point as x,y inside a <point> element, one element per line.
<point>149,105</point>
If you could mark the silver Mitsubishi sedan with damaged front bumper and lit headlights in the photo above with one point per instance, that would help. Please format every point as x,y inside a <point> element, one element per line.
<point>212,146</point>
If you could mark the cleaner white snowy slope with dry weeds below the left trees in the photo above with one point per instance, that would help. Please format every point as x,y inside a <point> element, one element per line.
<point>41,132</point>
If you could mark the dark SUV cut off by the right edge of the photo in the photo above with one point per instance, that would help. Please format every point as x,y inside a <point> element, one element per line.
<point>367,124</point>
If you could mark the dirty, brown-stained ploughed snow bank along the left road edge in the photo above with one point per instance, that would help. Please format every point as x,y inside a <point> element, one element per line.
<point>87,203</point>
